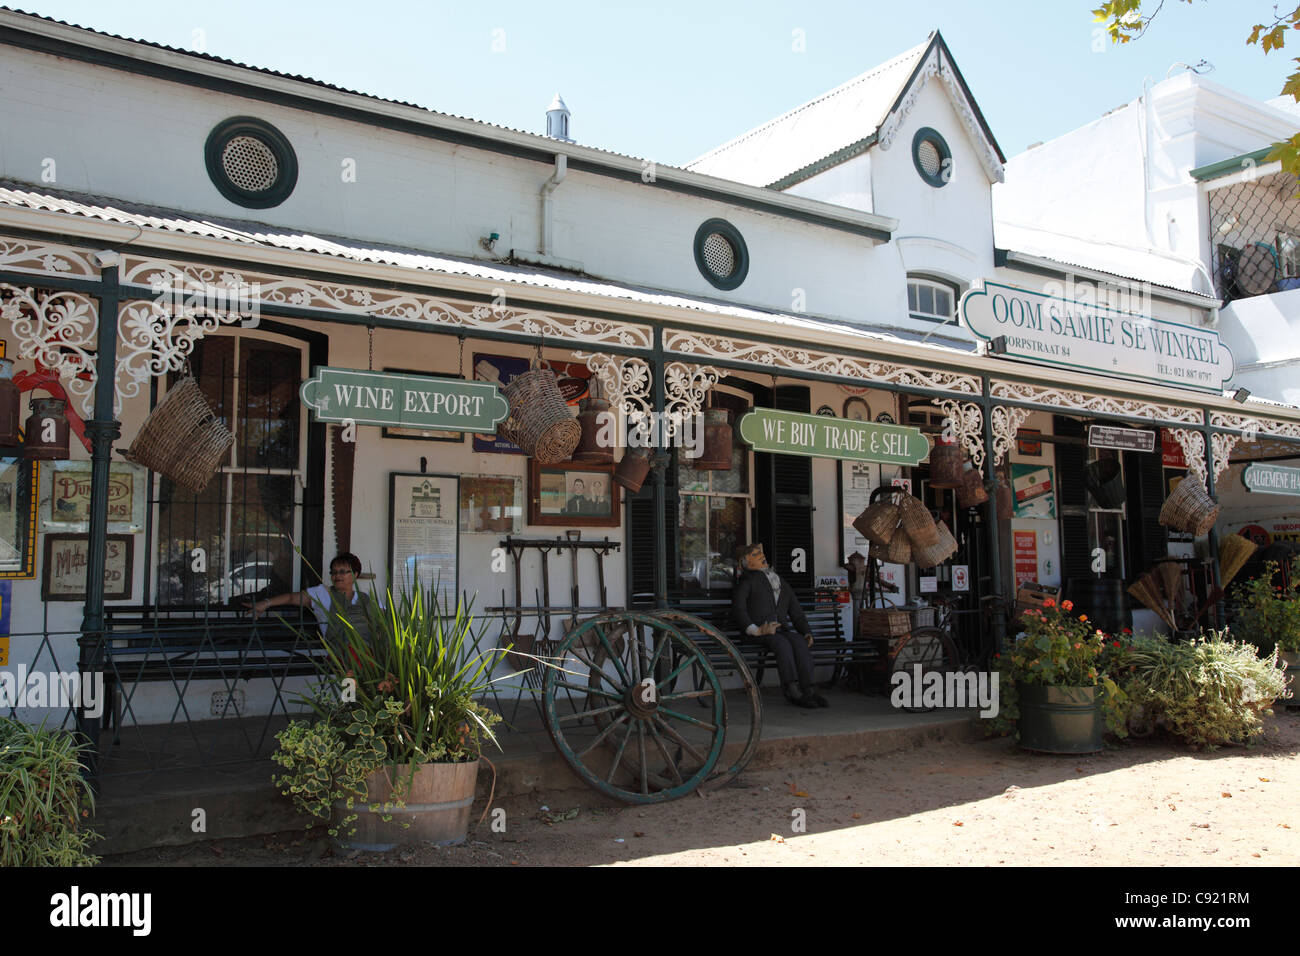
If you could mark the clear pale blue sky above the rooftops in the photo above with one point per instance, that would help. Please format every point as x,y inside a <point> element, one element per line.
<point>668,80</point>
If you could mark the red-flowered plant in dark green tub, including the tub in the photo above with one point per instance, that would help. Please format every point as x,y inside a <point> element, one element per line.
<point>1059,682</point>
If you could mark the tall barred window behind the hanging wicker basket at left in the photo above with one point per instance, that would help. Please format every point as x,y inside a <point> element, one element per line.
<point>233,542</point>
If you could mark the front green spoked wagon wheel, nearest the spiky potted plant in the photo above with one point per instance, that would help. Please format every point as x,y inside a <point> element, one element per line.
<point>642,745</point>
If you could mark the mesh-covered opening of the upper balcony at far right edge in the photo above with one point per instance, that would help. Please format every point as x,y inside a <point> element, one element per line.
<point>1255,236</point>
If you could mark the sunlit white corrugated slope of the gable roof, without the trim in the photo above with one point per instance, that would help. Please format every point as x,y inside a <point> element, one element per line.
<point>807,135</point>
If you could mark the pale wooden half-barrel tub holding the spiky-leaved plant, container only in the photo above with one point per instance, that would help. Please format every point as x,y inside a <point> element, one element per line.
<point>437,807</point>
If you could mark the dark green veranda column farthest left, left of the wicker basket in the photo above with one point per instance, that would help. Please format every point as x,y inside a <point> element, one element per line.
<point>102,431</point>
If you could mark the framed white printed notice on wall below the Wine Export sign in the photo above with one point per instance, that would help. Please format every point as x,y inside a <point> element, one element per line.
<point>424,544</point>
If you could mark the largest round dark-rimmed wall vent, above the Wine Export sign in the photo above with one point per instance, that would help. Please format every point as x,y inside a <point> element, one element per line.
<point>252,163</point>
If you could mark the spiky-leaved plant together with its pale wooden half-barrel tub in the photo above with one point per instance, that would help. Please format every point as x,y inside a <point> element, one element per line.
<point>397,723</point>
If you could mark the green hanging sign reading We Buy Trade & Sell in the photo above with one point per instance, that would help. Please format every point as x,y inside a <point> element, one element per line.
<point>816,436</point>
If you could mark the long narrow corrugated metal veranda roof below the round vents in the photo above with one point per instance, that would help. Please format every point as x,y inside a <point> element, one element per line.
<point>248,233</point>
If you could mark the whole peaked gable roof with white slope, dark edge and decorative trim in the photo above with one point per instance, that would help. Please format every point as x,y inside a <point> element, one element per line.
<point>847,122</point>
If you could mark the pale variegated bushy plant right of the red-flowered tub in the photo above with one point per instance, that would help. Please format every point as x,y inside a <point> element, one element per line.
<point>1211,691</point>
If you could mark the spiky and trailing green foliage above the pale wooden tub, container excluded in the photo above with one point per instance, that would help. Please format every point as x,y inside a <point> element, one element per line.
<point>405,694</point>
